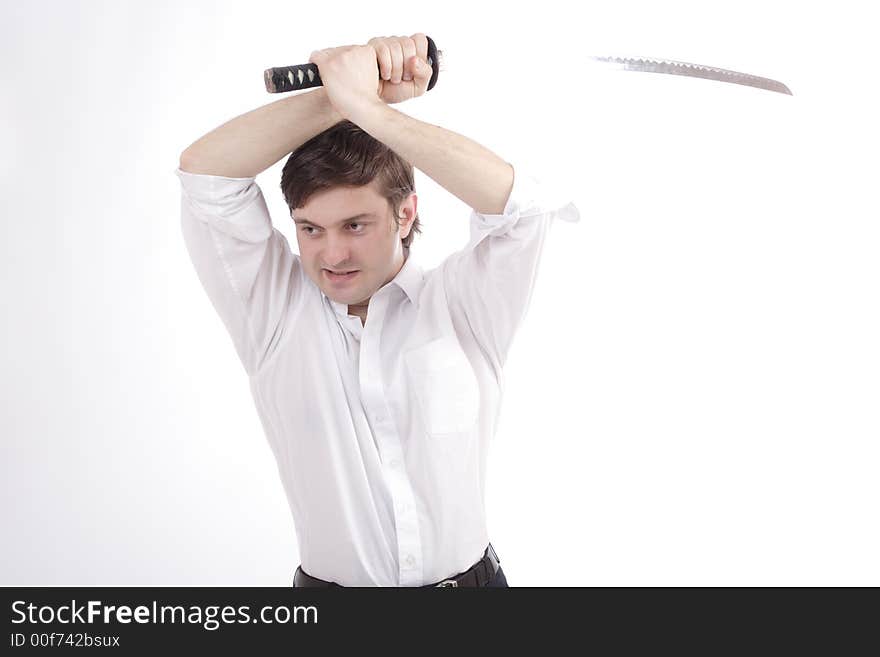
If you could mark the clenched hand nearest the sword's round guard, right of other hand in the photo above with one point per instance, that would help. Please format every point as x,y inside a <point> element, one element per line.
<point>403,66</point>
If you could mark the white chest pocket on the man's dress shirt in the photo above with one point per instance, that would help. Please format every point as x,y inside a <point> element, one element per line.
<point>444,384</point>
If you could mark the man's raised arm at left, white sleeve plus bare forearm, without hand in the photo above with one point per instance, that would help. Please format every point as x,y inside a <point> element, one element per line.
<point>245,265</point>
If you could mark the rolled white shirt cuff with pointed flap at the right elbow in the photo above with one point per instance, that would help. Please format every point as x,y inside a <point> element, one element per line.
<point>530,196</point>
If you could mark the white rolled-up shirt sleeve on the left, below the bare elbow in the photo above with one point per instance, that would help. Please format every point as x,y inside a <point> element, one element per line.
<point>244,264</point>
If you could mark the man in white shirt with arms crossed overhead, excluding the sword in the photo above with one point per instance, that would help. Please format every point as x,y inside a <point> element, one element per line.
<point>378,384</point>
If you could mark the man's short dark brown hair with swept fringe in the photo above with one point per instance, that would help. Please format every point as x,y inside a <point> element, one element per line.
<point>346,155</point>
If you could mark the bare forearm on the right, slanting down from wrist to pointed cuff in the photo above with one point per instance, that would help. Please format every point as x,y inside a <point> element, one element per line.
<point>468,170</point>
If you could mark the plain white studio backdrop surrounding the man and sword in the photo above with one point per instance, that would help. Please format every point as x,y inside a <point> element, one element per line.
<point>692,399</point>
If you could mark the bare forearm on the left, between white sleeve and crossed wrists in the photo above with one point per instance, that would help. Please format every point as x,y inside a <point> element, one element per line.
<point>251,143</point>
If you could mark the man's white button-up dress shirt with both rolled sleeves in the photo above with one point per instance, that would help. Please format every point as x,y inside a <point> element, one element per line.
<point>380,431</point>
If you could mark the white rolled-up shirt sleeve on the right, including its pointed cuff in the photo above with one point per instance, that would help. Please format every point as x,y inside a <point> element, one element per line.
<point>492,278</point>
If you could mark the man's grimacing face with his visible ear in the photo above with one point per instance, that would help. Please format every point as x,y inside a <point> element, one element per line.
<point>331,239</point>
